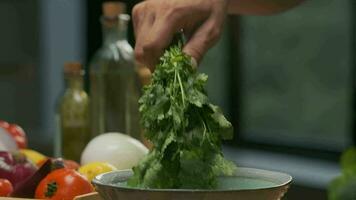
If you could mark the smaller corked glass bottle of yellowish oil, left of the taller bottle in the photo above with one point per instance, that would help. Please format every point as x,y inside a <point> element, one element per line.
<point>73,113</point>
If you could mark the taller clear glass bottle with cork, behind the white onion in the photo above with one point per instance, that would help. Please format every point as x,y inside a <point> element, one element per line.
<point>114,86</point>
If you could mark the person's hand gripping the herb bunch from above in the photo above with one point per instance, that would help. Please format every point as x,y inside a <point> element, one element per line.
<point>156,22</point>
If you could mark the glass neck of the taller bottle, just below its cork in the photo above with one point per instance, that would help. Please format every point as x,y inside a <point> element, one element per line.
<point>113,30</point>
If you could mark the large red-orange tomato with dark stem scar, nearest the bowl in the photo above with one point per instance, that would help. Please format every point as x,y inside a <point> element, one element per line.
<point>63,184</point>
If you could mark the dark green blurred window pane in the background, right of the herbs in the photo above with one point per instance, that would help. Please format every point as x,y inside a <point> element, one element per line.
<point>295,78</point>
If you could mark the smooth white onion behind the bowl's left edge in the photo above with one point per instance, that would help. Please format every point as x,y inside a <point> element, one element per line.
<point>122,151</point>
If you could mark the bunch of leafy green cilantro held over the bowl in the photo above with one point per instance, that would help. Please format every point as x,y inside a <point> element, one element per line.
<point>184,127</point>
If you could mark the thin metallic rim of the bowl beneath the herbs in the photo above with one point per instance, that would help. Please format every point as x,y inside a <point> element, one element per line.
<point>288,179</point>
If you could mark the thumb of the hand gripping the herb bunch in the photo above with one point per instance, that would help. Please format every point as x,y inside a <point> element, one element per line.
<point>203,39</point>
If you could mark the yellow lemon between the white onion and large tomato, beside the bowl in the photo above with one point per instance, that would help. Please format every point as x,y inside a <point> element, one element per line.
<point>93,169</point>
